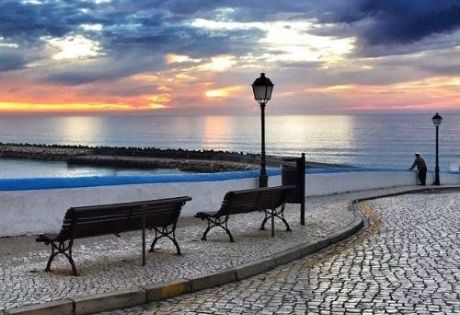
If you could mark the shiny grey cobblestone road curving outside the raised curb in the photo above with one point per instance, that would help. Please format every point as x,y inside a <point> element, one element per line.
<point>406,263</point>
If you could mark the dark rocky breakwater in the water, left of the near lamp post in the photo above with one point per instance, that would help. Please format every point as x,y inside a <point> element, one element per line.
<point>149,158</point>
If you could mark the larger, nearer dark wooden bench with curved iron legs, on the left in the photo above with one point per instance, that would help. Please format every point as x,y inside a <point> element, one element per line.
<point>80,222</point>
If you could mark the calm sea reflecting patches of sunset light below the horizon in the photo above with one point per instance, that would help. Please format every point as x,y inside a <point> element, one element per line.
<point>366,140</point>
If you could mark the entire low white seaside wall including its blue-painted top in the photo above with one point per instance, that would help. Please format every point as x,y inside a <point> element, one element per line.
<point>31,206</point>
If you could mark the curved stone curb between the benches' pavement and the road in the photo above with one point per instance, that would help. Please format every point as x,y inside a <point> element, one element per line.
<point>159,291</point>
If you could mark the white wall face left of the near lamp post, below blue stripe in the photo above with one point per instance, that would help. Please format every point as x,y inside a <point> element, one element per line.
<point>40,211</point>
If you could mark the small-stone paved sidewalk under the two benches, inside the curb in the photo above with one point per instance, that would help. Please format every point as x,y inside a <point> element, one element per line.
<point>110,263</point>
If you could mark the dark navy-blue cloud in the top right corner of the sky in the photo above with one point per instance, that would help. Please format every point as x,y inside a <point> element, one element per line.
<point>400,21</point>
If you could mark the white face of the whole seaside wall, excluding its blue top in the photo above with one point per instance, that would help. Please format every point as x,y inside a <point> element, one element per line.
<point>39,211</point>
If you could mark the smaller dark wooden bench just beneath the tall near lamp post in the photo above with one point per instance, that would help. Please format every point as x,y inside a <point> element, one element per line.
<point>270,200</point>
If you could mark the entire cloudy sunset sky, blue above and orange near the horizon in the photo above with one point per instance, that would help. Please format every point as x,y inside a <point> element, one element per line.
<point>200,57</point>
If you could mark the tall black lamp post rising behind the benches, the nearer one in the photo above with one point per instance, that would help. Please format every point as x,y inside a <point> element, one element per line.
<point>262,88</point>
